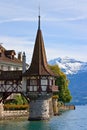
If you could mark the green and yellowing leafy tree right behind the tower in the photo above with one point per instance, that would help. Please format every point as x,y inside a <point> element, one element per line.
<point>62,83</point>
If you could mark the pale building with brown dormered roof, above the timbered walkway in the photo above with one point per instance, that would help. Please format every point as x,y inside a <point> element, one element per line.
<point>8,61</point>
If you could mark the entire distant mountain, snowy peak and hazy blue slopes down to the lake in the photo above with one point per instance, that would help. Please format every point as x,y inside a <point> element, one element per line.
<point>76,72</point>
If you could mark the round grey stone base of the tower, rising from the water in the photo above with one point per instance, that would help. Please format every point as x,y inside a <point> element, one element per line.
<point>40,109</point>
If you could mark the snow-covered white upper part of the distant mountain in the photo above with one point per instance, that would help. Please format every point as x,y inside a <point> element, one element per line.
<point>69,65</point>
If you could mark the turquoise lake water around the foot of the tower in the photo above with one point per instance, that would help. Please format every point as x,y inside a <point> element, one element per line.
<point>69,120</point>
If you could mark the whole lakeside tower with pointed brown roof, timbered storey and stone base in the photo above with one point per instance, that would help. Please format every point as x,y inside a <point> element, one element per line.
<point>39,82</point>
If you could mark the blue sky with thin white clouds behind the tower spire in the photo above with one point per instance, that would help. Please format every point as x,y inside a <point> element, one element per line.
<point>63,25</point>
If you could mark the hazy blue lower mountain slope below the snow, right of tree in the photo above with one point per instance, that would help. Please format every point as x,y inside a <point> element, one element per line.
<point>78,88</point>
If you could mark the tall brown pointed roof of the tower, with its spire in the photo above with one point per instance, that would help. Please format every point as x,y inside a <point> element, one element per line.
<point>39,65</point>
